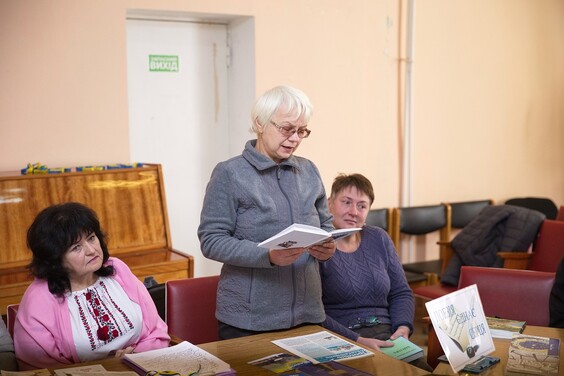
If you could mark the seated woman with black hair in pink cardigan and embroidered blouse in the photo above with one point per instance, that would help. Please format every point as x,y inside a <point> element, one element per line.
<point>83,304</point>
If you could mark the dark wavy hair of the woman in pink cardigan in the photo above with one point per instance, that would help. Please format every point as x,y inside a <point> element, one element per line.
<point>52,233</point>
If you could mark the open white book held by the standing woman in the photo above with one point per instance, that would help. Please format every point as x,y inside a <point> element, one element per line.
<point>299,236</point>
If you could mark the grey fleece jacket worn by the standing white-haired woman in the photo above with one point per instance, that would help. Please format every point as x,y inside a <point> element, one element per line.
<point>250,198</point>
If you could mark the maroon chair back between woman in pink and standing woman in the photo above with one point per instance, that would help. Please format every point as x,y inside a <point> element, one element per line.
<point>190,309</point>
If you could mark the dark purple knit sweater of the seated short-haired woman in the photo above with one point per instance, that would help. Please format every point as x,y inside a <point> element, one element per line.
<point>369,281</point>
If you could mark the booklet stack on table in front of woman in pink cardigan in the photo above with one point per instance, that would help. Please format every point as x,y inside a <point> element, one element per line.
<point>183,358</point>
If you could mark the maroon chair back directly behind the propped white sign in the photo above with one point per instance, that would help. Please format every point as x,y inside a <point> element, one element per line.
<point>511,293</point>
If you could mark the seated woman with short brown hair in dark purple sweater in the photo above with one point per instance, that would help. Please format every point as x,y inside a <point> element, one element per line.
<point>366,296</point>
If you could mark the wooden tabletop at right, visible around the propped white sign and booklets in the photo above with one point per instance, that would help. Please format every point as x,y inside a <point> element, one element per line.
<point>502,351</point>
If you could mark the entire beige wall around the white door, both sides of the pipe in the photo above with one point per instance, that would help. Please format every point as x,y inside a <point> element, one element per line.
<point>488,87</point>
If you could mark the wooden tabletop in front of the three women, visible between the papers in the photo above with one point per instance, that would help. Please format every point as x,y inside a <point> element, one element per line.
<point>237,352</point>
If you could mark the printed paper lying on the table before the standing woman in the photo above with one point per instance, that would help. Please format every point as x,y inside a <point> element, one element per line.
<point>322,347</point>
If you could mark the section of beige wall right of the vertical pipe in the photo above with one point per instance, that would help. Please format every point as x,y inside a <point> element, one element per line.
<point>489,100</point>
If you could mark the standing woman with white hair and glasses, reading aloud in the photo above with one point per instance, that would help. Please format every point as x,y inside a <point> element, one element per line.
<point>250,198</point>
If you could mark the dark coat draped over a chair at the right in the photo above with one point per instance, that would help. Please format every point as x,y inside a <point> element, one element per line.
<point>497,228</point>
